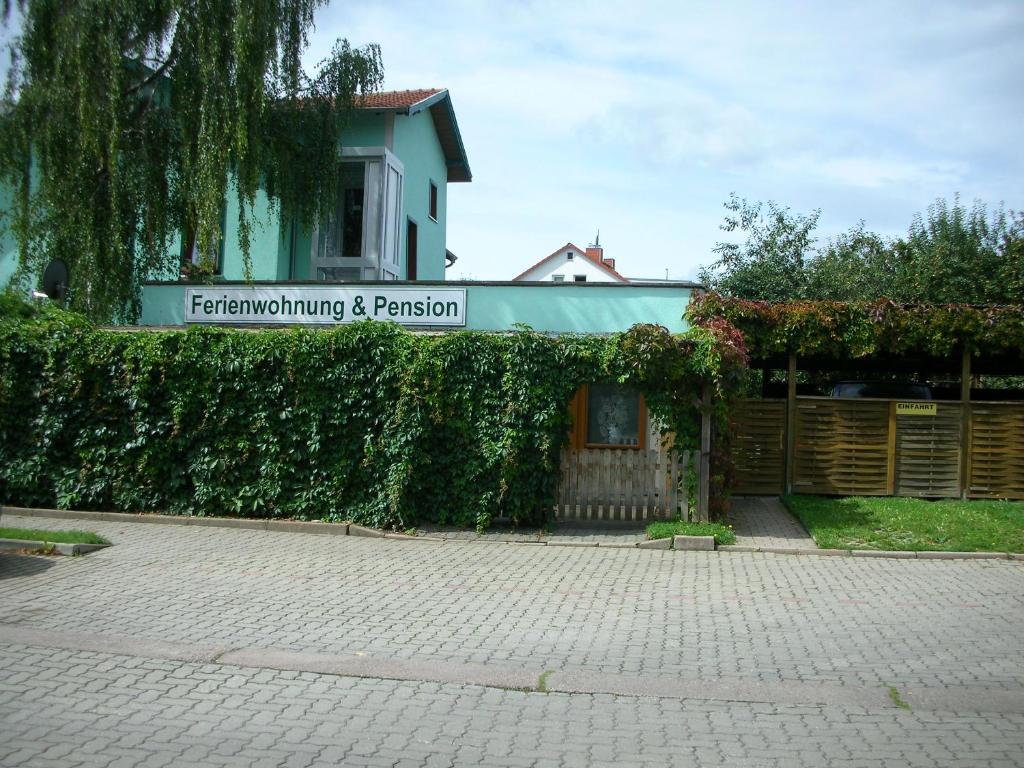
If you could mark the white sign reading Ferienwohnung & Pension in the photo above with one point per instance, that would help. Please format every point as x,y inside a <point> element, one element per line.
<point>327,306</point>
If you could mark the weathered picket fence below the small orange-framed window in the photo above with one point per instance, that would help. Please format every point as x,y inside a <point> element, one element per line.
<point>603,485</point>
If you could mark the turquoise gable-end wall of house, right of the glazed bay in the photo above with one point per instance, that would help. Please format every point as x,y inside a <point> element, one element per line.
<point>417,147</point>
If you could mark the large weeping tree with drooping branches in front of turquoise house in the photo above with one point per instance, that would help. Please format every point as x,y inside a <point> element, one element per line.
<point>127,121</point>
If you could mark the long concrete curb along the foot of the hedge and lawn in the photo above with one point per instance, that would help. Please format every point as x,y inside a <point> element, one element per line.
<point>351,529</point>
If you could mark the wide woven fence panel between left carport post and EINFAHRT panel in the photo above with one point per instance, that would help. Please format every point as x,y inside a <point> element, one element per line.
<point>842,447</point>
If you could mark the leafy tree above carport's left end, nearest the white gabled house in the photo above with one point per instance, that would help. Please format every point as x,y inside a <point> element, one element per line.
<point>770,265</point>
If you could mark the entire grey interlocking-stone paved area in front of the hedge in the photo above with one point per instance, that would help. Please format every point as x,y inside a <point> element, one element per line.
<point>210,647</point>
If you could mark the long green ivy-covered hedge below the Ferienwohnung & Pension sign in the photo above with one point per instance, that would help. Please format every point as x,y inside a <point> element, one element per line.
<point>365,422</point>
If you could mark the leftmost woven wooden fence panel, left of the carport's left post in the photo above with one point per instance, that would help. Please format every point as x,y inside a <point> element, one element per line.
<point>759,447</point>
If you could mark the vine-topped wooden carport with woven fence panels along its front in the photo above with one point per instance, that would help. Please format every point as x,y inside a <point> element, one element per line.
<point>968,442</point>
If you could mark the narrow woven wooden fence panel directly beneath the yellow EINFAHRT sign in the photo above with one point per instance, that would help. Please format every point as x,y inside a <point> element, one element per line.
<point>928,453</point>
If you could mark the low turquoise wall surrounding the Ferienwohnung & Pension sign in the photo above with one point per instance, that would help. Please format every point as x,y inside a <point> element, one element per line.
<point>550,308</point>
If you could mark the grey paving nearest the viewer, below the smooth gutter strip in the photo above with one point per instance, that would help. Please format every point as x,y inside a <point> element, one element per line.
<point>80,709</point>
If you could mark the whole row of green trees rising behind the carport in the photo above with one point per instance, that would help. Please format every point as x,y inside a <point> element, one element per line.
<point>953,255</point>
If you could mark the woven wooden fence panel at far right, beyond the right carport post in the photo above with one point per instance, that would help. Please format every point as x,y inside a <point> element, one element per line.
<point>997,451</point>
